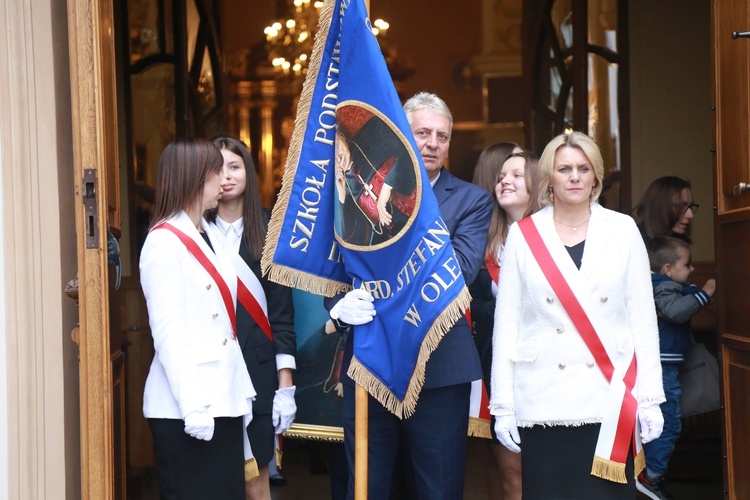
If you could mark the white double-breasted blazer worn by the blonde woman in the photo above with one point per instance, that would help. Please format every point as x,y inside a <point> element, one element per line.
<point>541,367</point>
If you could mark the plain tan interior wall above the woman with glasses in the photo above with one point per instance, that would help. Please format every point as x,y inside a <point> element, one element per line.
<point>670,100</point>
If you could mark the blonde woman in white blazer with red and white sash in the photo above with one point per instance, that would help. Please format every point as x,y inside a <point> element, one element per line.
<point>576,362</point>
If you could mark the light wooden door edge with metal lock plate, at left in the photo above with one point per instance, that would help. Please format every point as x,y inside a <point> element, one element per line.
<point>94,112</point>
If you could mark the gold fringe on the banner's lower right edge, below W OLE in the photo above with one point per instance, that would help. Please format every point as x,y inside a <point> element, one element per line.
<point>376,389</point>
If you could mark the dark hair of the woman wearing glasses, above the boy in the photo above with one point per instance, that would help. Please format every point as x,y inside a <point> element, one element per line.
<point>656,214</point>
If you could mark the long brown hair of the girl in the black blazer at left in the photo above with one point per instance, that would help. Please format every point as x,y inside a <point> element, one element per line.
<point>254,232</point>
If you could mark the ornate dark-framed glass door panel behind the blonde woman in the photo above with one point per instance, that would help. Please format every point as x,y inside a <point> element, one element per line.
<point>575,59</point>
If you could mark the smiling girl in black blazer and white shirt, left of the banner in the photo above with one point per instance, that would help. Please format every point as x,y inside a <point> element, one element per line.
<point>268,343</point>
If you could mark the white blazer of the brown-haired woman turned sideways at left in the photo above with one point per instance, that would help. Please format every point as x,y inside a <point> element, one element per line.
<point>197,362</point>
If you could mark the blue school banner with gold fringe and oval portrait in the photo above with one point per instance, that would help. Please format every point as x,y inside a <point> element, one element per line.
<point>361,213</point>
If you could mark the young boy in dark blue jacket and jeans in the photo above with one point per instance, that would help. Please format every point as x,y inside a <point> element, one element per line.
<point>676,302</point>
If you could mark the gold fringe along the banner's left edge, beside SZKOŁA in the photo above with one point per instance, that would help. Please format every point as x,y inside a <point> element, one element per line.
<point>275,272</point>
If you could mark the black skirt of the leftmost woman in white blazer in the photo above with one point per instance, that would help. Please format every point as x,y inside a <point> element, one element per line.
<point>190,468</point>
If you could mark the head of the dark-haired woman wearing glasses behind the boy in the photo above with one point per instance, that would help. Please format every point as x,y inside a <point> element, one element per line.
<point>667,209</point>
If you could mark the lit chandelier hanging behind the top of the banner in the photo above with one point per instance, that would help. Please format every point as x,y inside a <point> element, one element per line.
<point>290,42</point>
